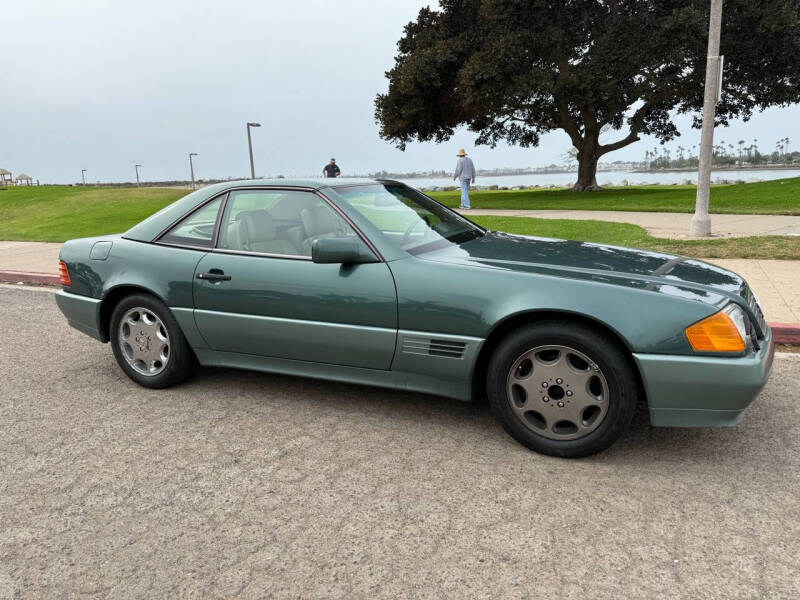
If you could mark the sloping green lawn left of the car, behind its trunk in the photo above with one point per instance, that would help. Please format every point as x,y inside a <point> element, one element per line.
<point>59,213</point>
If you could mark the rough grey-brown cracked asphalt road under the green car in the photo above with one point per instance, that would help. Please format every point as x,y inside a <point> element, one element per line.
<point>270,486</point>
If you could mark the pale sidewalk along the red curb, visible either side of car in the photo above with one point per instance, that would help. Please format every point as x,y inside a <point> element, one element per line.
<point>777,282</point>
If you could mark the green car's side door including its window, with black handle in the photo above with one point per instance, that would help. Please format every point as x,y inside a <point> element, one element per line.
<point>259,293</point>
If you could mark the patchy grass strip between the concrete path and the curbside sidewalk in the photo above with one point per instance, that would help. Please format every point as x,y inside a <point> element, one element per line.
<point>623,234</point>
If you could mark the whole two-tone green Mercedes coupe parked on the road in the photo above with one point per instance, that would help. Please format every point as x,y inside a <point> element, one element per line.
<point>373,282</point>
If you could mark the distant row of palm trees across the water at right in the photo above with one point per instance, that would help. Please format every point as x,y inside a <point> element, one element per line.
<point>724,155</point>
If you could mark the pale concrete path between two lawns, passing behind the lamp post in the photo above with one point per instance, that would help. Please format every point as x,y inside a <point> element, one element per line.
<point>666,225</point>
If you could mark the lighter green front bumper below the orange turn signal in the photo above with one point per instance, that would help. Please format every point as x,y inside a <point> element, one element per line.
<point>703,391</point>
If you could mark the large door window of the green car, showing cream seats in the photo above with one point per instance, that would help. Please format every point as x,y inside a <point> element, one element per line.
<point>281,222</point>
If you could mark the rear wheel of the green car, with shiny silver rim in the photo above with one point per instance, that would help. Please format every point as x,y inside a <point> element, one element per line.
<point>148,343</point>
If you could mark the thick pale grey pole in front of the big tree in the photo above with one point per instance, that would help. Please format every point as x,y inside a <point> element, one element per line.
<point>700,225</point>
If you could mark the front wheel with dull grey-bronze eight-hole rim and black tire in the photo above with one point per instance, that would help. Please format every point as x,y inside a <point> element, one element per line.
<point>562,388</point>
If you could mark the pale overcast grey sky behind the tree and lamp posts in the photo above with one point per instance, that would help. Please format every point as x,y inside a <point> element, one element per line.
<point>104,85</point>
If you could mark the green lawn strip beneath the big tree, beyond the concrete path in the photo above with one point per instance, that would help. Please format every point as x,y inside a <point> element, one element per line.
<point>780,197</point>
